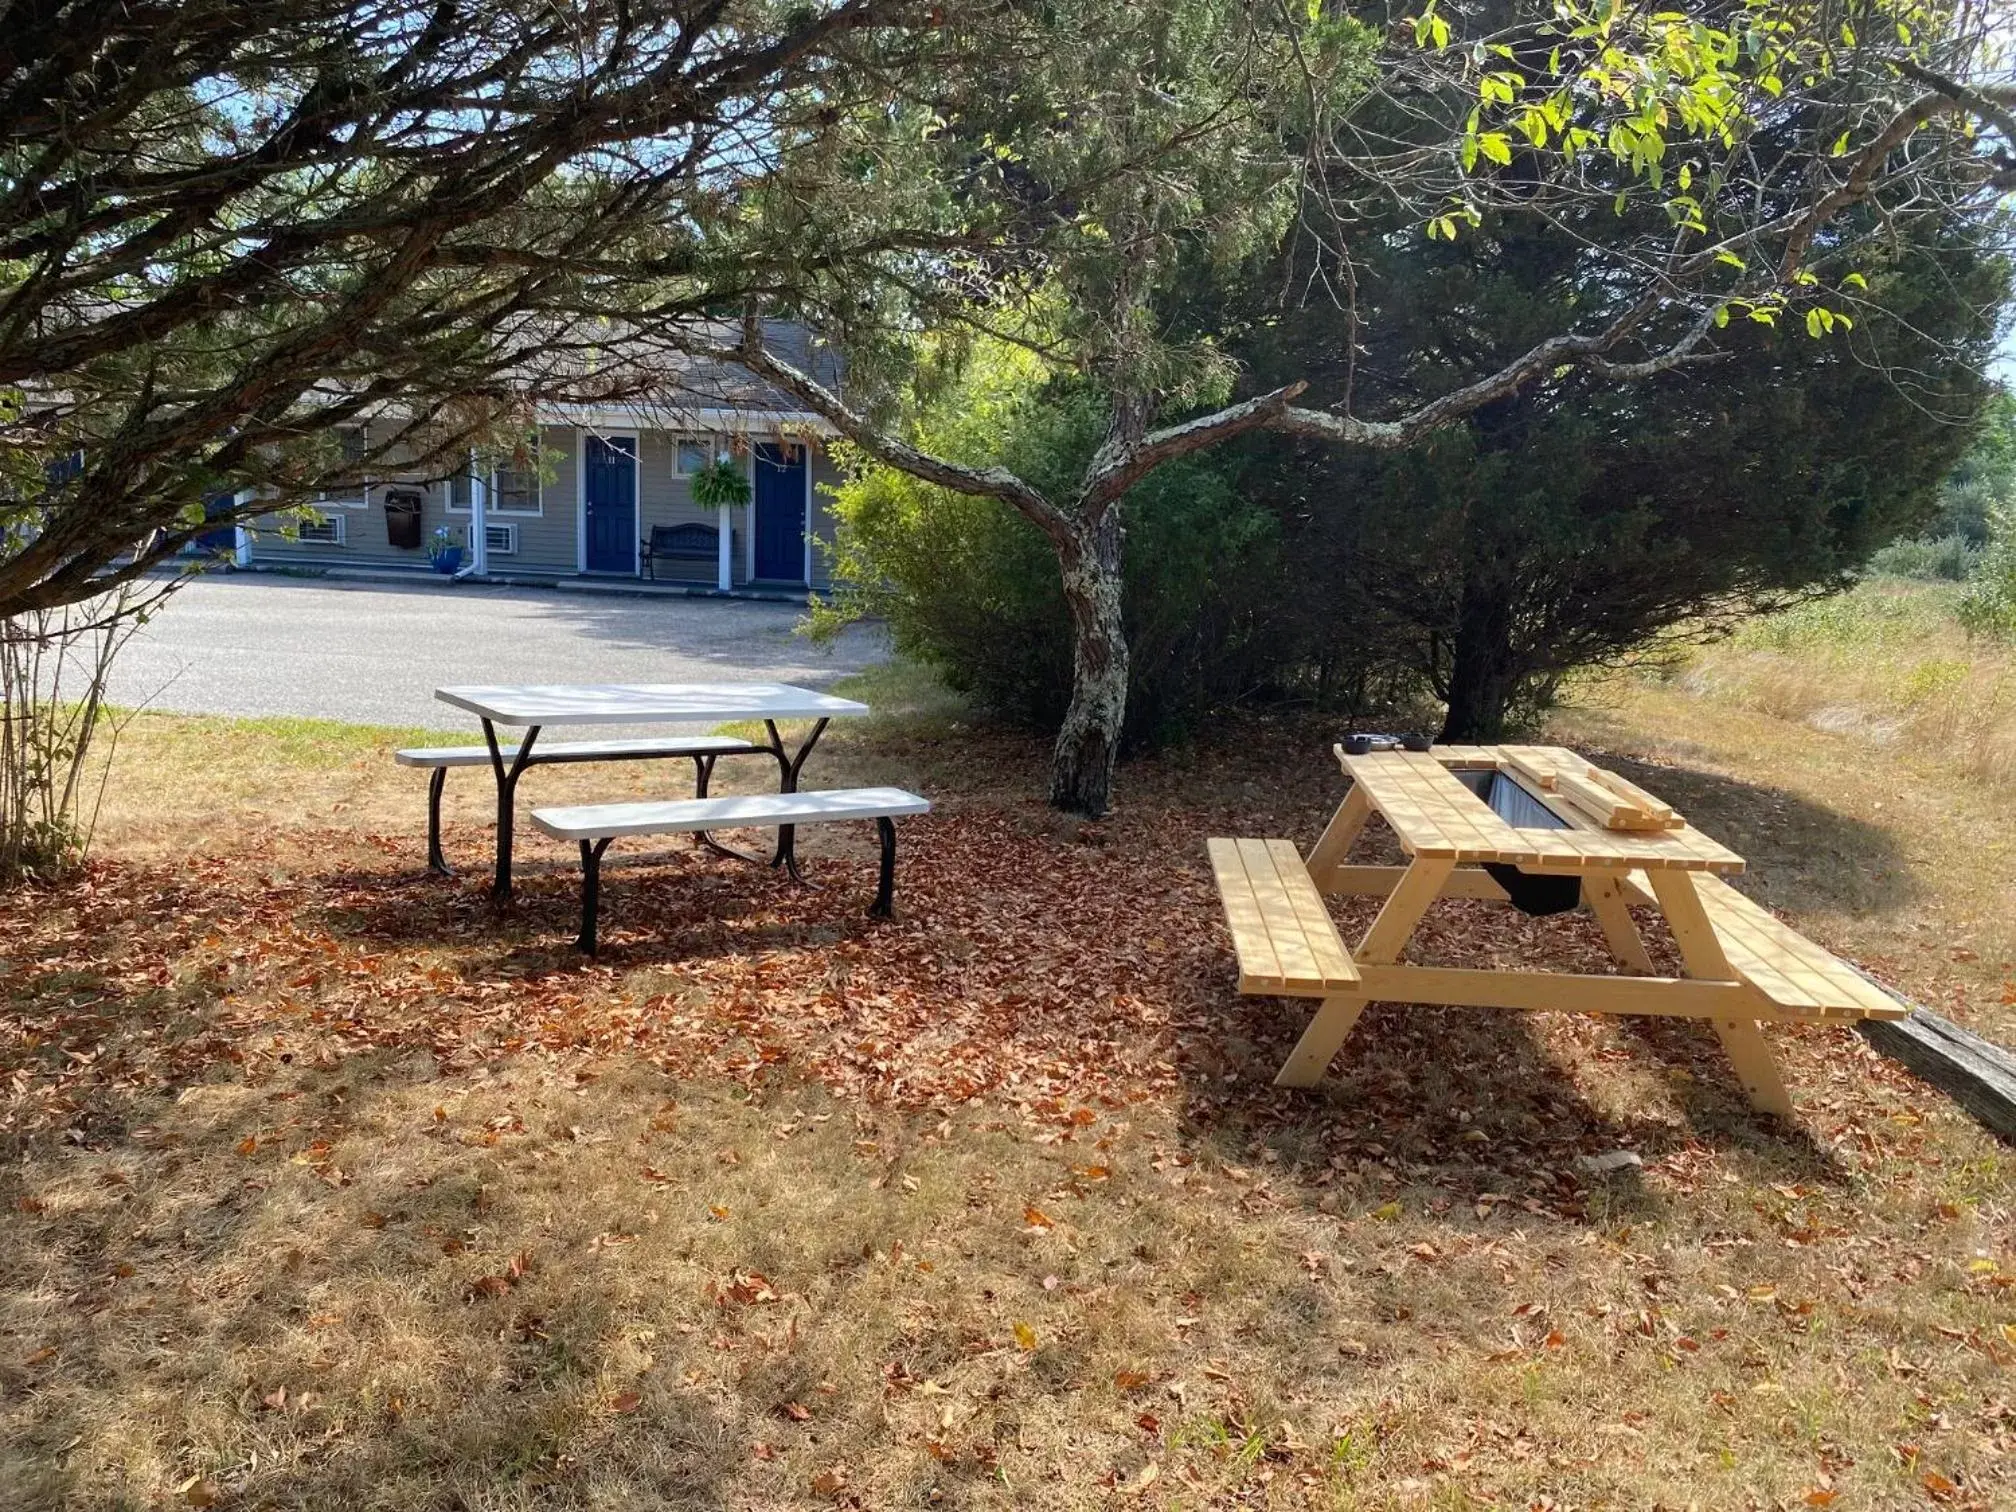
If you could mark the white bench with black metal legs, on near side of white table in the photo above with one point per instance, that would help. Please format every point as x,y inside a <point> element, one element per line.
<point>598,824</point>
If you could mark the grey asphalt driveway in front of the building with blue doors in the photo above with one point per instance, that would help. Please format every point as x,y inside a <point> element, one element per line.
<point>376,652</point>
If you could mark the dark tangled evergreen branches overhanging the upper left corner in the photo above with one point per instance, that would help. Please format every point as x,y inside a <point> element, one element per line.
<point>229,227</point>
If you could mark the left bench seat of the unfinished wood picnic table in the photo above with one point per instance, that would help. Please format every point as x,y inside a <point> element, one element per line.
<point>1281,928</point>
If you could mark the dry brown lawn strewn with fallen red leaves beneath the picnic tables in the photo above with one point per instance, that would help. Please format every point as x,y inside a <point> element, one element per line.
<point>332,1192</point>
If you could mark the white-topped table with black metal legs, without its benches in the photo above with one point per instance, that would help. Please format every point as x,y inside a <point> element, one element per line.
<point>533,707</point>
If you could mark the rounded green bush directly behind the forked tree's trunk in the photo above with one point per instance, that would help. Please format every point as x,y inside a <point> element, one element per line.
<point>971,588</point>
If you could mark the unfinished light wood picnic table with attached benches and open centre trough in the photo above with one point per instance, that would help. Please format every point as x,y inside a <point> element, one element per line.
<point>1547,830</point>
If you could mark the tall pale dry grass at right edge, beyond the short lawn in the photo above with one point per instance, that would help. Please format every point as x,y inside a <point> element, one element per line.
<point>1888,664</point>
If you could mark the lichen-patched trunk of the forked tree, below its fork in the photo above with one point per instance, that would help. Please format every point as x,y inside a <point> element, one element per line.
<point>1088,747</point>
